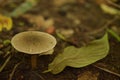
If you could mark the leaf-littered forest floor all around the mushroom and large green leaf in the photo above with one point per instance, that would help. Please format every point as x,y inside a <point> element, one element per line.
<point>72,22</point>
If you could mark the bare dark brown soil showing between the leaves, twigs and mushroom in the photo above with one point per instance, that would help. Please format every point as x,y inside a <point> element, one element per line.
<point>91,22</point>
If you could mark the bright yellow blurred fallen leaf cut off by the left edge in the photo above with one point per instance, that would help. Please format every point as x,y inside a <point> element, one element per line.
<point>5,22</point>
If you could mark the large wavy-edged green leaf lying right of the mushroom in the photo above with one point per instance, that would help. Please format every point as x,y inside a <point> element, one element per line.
<point>80,57</point>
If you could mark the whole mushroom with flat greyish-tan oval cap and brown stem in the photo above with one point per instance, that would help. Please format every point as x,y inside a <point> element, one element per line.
<point>34,42</point>
